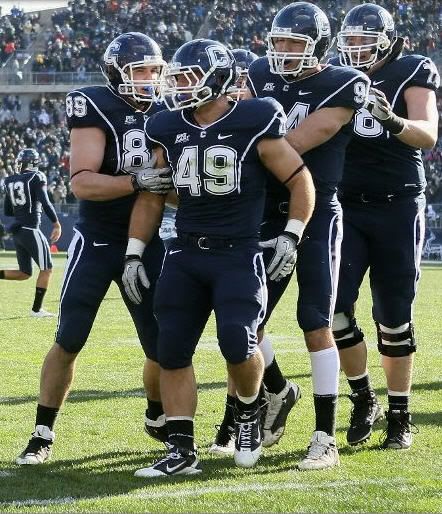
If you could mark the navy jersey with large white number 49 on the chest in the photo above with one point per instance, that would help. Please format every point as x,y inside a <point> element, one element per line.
<point>216,169</point>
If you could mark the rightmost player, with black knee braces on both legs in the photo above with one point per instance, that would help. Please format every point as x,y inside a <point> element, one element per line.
<point>382,193</point>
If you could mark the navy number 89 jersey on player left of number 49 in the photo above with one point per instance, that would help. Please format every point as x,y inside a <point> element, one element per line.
<point>126,151</point>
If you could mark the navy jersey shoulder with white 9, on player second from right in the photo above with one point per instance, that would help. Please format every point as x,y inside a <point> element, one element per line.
<point>349,88</point>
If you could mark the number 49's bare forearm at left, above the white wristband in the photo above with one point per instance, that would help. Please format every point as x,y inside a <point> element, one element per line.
<point>146,216</point>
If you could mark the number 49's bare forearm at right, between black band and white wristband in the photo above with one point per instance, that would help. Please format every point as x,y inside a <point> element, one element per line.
<point>302,196</point>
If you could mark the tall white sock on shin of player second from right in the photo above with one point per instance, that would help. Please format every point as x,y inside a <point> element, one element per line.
<point>325,371</point>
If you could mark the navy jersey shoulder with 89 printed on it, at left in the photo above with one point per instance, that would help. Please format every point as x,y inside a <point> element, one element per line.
<point>88,106</point>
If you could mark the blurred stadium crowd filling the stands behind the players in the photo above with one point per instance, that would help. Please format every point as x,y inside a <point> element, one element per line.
<point>81,32</point>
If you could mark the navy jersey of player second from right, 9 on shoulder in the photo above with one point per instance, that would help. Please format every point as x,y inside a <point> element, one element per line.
<point>331,87</point>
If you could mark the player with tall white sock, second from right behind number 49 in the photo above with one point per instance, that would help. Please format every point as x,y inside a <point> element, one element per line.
<point>319,101</point>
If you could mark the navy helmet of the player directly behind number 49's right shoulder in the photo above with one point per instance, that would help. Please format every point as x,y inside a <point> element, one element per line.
<point>299,21</point>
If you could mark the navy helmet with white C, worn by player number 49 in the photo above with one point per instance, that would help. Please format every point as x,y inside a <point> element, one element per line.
<point>200,71</point>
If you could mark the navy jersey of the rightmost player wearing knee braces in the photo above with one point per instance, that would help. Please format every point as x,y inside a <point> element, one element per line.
<point>376,161</point>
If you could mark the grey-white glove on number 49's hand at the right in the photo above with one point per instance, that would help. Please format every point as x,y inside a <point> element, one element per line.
<point>284,259</point>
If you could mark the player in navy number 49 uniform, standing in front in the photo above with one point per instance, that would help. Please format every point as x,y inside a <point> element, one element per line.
<point>220,152</point>
